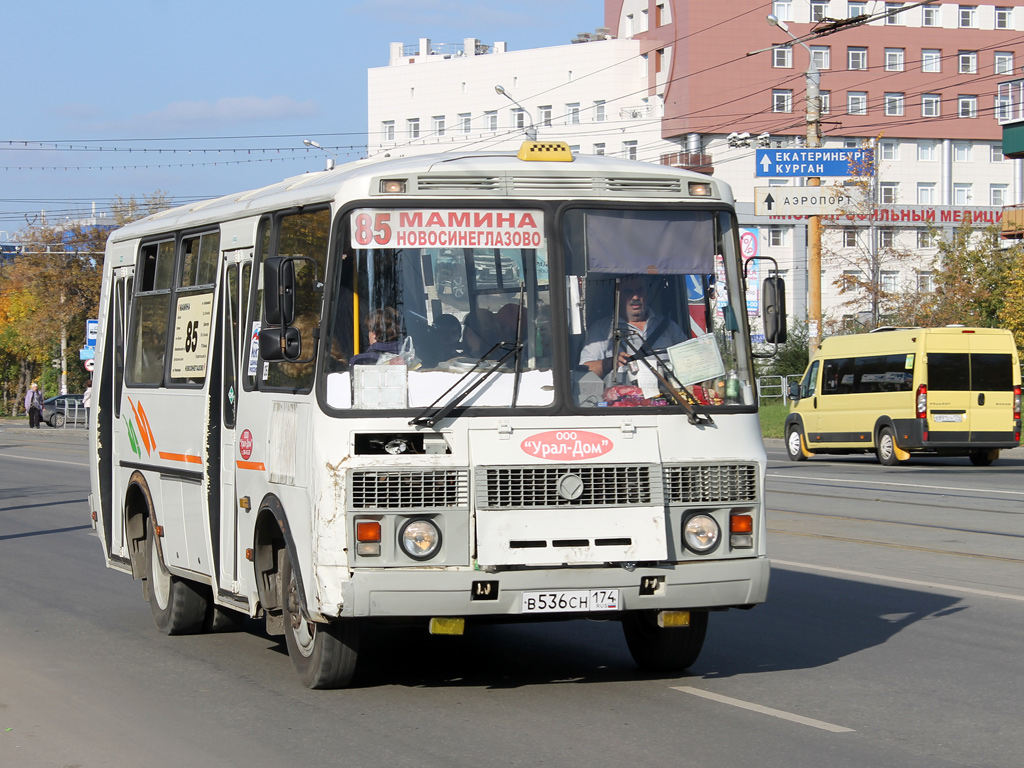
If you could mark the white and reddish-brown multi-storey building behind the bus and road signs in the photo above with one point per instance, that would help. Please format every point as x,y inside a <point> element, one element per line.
<point>679,82</point>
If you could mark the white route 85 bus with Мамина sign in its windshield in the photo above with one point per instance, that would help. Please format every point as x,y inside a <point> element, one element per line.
<point>395,392</point>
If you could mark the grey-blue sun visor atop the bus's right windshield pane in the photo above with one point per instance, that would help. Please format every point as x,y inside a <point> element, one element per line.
<point>651,242</point>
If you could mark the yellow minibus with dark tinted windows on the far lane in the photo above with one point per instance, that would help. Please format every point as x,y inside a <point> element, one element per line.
<point>903,392</point>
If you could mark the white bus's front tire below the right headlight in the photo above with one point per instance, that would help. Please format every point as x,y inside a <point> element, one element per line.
<point>658,650</point>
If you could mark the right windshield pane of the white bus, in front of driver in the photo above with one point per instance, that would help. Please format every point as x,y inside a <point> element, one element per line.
<point>650,305</point>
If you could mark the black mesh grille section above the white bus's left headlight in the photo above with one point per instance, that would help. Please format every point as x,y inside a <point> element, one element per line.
<point>410,489</point>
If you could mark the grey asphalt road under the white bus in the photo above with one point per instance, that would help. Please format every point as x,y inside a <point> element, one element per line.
<point>891,637</point>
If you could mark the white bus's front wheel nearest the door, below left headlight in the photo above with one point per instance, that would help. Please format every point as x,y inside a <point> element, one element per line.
<point>323,655</point>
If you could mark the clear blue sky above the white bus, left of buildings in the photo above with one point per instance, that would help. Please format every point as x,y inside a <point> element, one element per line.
<point>204,99</point>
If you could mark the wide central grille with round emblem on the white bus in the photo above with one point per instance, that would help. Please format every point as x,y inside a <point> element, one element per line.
<point>568,486</point>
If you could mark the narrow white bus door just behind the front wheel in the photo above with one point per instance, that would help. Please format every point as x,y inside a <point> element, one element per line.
<point>235,450</point>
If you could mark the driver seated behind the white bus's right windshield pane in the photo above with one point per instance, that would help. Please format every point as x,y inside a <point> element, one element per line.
<point>639,324</point>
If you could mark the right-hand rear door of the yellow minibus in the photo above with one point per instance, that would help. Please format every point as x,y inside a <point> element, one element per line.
<point>992,404</point>
